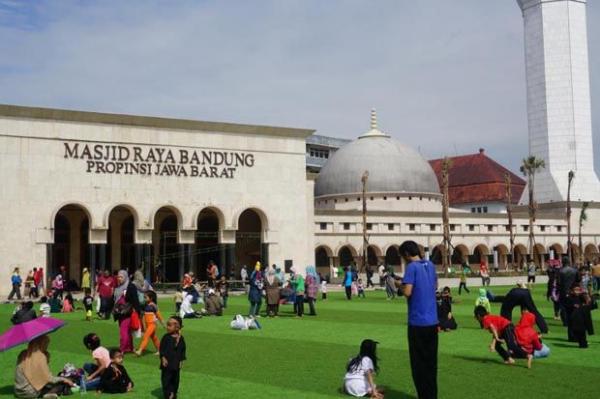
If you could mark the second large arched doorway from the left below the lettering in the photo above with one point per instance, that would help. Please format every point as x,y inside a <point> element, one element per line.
<point>120,248</point>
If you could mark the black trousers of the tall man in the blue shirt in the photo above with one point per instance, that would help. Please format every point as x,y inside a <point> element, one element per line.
<point>422,347</point>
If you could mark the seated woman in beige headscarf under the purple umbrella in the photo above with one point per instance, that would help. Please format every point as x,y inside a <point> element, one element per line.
<point>33,378</point>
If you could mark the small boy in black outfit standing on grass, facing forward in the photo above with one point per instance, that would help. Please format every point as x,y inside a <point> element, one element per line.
<point>172,355</point>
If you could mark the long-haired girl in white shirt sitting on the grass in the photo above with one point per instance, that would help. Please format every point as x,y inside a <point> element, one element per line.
<point>358,380</point>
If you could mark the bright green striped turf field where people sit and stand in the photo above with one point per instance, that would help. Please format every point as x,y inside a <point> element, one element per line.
<point>305,358</point>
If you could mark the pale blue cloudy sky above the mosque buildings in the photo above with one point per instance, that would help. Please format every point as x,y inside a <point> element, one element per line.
<point>446,77</point>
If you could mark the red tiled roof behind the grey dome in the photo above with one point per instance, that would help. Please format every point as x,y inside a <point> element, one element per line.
<point>476,178</point>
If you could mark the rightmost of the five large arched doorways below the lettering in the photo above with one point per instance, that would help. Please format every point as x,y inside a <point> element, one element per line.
<point>248,239</point>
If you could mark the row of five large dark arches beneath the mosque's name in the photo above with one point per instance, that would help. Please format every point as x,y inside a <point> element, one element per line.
<point>164,257</point>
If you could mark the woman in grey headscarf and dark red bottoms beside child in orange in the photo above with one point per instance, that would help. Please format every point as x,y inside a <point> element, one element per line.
<point>126,304</point>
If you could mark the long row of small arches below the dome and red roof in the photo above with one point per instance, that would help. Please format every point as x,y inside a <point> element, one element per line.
<point>347,254</point>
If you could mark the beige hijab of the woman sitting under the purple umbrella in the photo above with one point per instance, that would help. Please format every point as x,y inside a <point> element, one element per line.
<point>34,363</point>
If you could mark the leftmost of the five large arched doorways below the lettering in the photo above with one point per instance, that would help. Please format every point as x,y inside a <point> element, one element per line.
<point>70,252</point>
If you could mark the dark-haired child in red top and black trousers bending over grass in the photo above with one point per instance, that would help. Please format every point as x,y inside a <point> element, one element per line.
<point>502,332</point>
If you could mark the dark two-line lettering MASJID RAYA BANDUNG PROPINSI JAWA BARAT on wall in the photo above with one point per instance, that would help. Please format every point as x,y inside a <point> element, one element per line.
<point>157,161</point>
